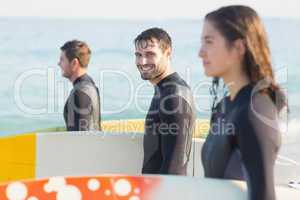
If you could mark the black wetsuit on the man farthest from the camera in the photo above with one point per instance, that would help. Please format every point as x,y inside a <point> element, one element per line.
<point>82,109</point>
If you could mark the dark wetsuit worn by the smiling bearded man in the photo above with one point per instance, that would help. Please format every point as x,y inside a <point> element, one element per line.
<point>169,127</point>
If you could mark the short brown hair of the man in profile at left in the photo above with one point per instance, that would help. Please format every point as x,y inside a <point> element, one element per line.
<point>77,49</point>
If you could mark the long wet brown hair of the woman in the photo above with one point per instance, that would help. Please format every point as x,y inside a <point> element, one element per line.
<point>242,22</point>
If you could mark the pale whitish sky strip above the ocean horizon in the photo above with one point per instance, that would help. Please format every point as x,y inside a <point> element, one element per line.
<point>140,9</point>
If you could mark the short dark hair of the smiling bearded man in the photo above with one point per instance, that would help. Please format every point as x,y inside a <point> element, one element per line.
<point>159,34</point>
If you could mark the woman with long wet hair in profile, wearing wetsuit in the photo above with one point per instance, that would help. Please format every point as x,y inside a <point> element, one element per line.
<point>244,136</point>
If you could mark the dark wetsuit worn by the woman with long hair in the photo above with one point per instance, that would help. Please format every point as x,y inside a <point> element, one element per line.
<point>243,142</point>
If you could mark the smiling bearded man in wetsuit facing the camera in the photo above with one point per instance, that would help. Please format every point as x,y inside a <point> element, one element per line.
<point>170,121</point>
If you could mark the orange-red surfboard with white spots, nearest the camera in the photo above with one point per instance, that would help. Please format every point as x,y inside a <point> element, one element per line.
<point>109,187</point>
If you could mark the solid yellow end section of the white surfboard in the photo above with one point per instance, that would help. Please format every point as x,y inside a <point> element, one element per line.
<point>17,157</point>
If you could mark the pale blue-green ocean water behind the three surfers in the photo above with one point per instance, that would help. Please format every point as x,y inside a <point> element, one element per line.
<point>32,91</point>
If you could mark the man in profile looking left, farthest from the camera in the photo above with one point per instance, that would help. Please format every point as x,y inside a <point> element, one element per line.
<point>82,109</point>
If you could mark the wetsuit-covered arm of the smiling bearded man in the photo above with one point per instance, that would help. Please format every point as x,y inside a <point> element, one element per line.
<point>175,114</point>
